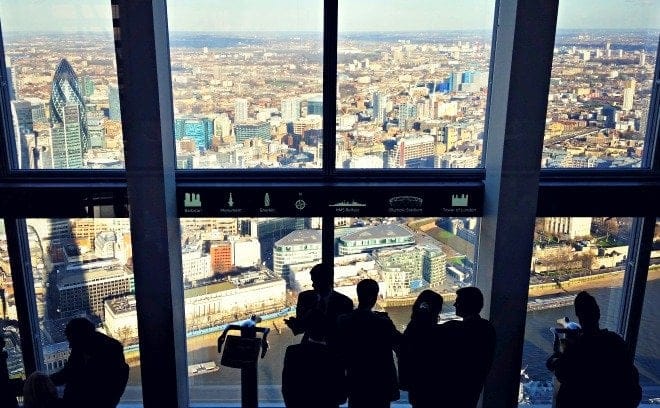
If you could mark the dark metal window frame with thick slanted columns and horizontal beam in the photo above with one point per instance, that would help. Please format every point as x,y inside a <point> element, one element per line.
<point>546,195</point>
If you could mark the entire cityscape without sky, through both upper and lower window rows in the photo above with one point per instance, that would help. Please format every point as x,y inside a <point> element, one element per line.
<point>406,99</point>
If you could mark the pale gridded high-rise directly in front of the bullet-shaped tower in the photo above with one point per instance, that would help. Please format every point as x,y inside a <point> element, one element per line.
<point>66,138</point>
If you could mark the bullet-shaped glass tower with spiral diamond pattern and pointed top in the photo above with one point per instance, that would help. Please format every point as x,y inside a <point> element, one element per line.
<point>66,92</point>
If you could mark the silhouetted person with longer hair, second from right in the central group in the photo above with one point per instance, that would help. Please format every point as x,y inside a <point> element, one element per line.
<point>420,355</point>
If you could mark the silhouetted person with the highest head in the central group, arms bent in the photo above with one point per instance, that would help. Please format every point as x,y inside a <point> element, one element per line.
<point>321,298</point>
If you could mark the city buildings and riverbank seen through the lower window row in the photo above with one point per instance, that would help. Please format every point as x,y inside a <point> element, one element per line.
<point>233,268</point>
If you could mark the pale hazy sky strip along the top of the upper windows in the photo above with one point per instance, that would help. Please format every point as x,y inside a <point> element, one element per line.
<point>306,15</point>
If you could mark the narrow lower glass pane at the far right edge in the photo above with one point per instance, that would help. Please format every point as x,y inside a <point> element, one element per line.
<point>647,359</point>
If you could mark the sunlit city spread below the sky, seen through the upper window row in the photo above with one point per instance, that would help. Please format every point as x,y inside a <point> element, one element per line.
<point>404,100</point>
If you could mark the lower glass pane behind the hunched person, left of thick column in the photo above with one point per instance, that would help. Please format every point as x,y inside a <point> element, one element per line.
<point>83,268</point>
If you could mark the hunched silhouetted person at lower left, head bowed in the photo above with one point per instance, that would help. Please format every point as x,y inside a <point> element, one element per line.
<point>95,375</point>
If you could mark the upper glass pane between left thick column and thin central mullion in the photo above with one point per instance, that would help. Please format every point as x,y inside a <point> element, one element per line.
<point>247,79</point>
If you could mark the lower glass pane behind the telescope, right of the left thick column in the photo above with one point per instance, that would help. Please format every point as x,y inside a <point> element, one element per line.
<point>234,268</point>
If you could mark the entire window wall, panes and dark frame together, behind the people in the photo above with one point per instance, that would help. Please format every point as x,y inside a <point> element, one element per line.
<point>264,72</point>
